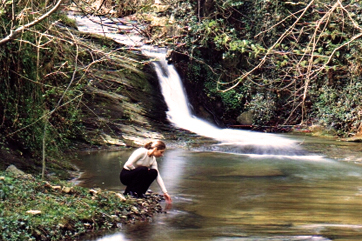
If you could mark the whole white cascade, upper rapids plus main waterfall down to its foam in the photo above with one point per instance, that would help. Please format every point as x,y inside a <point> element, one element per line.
<point>179,113</point>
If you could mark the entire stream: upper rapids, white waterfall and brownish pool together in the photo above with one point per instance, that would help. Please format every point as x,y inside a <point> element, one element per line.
<point>248,186</point>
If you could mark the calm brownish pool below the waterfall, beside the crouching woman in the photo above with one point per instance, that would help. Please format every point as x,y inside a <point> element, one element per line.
<point>219,196</point>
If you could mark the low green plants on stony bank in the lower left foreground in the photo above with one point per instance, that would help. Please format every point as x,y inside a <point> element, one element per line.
<point>64,215</point>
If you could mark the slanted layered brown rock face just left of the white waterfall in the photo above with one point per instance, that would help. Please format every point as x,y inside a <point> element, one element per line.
<point>127,113</point>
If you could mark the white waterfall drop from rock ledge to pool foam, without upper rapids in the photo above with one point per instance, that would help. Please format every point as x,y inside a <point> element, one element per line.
<point>180,115</point>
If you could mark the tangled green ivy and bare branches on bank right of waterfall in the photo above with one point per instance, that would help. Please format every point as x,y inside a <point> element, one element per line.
<point>250,45</point>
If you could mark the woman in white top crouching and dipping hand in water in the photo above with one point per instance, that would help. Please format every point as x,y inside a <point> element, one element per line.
<point>141,170</point>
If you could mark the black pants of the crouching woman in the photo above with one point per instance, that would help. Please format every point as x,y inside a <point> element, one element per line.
<point>138,180</point>
